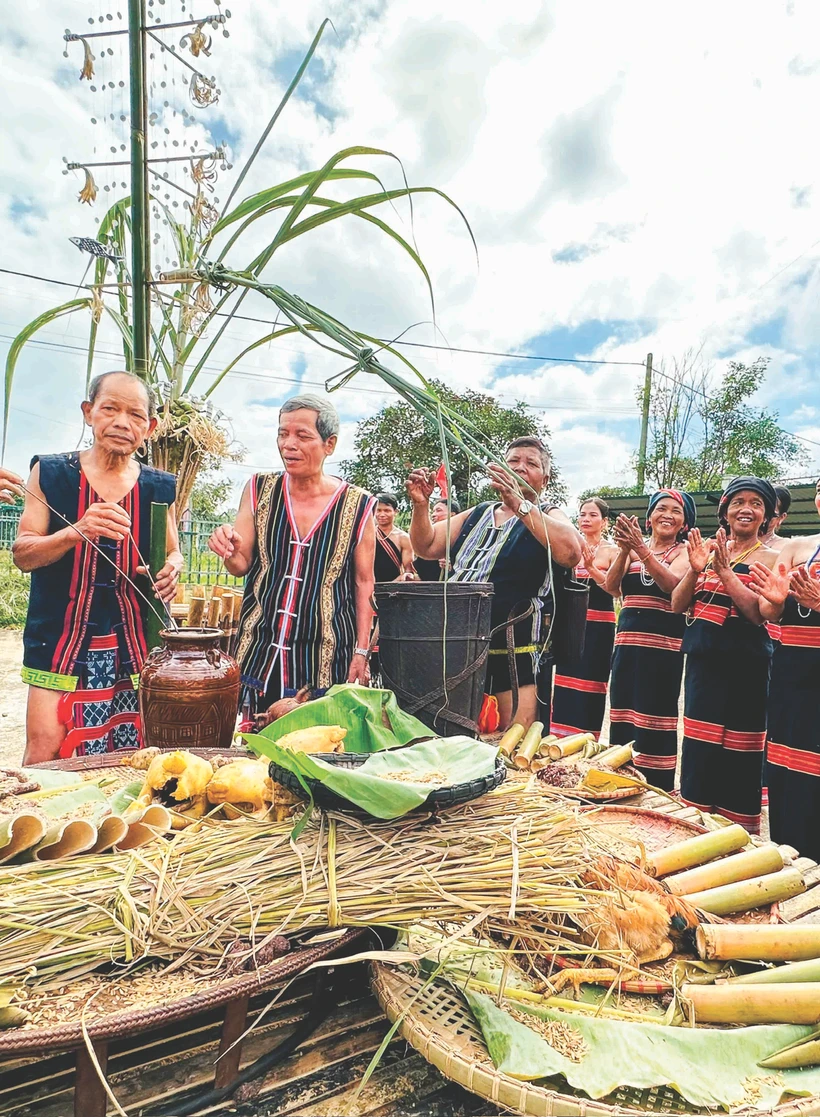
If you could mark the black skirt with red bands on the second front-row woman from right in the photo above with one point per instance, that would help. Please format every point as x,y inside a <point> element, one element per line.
<point>724,734</point>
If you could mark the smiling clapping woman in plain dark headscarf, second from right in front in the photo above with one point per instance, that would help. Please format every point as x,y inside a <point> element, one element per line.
<point>729,655</point>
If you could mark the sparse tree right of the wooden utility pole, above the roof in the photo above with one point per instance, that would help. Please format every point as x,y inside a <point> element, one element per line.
<point>701,433</point>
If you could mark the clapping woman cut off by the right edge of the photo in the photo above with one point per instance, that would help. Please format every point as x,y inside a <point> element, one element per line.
<point>793,598</point>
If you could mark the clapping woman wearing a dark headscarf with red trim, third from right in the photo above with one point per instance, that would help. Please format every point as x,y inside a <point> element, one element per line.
<point>647,664</point>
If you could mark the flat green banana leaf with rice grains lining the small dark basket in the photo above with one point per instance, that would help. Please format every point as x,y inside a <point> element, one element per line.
<point>459,759</point>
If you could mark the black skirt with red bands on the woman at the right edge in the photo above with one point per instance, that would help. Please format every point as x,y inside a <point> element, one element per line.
<point>794,740</point>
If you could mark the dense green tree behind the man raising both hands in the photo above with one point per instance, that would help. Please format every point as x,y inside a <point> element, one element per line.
<point>399,437</point>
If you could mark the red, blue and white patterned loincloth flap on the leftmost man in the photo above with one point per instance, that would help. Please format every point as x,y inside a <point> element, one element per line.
<point>103,713</point>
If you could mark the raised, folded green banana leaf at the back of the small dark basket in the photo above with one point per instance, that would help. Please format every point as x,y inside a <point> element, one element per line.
<point>374,720</point>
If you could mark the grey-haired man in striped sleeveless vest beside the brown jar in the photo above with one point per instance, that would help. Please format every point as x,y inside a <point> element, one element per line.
<point>306,542</point>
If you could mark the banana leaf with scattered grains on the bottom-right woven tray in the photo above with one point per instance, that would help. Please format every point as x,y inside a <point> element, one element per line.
<point>708,1067</point>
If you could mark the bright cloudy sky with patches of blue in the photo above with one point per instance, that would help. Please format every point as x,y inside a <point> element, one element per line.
<point>640,178</point>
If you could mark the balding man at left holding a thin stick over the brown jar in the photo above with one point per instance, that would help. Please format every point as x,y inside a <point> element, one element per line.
<point>85,632</point>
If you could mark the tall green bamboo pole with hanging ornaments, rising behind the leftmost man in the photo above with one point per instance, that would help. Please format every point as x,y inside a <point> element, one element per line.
<point>140,235</point>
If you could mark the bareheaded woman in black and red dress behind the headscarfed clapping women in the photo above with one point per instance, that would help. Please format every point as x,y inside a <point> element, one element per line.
<point>580,694</point>
